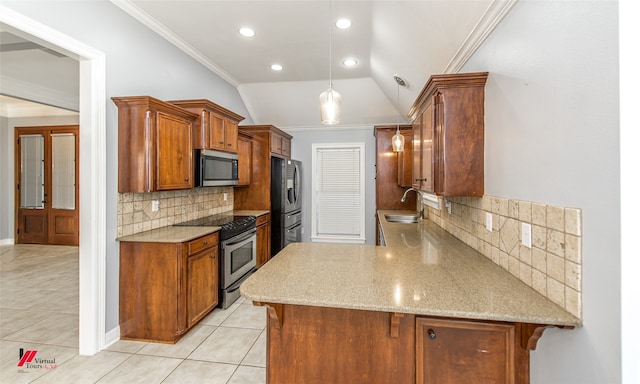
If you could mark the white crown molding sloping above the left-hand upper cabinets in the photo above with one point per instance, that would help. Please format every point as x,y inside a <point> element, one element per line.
<point>157,27</point>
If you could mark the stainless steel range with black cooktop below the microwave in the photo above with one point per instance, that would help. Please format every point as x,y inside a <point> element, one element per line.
<point>237,251</point>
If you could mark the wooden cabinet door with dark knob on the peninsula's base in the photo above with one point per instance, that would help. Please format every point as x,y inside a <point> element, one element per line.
<point>451,351</point>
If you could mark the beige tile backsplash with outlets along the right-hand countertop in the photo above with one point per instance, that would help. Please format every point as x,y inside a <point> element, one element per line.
<point>553,264</point>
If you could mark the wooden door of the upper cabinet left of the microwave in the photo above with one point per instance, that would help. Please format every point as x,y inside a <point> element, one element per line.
<point>174,158</point>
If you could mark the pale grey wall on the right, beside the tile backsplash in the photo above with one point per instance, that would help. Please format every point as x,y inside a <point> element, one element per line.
<point>552,136</point>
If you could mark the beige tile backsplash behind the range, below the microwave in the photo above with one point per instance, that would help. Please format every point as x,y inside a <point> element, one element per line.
<point>135,213</point>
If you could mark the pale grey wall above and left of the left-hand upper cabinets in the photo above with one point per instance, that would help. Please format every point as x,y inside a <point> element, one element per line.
<point>138,62</point>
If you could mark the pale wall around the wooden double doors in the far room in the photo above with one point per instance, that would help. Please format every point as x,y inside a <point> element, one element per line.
<point>7,195</point>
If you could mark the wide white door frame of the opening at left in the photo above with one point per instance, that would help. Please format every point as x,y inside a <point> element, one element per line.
<point>92,250</point>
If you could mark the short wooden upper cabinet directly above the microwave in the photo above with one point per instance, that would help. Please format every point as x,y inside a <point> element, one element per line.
<point>216,127</point>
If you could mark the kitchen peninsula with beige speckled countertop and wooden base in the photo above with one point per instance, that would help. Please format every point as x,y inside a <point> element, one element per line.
<point>425,309</point>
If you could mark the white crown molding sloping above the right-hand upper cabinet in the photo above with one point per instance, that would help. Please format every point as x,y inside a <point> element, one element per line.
<point>487,23</point>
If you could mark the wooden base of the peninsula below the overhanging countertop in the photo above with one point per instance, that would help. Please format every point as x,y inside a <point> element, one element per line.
<point>361,346</point>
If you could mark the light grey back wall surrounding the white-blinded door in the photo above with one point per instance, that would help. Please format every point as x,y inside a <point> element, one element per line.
<point>301,150</point>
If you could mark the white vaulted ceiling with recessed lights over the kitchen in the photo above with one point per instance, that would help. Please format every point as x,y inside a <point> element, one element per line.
<point>412,39</point>
